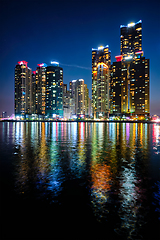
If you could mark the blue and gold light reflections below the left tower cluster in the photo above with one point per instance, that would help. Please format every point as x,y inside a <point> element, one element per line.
<point>37,171</point>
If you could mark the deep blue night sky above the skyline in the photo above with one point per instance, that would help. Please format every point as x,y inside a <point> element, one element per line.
<point>66,31</point>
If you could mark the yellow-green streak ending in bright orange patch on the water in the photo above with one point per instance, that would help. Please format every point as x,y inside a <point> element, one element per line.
<point>100,171</point>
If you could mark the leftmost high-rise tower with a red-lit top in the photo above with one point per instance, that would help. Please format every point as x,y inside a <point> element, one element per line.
<point>23,86</point>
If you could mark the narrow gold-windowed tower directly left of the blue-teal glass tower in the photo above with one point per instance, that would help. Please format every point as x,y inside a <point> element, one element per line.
<point>40,97</point>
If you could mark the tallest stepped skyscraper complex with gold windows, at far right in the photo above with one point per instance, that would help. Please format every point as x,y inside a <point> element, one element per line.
<point>129,89</point>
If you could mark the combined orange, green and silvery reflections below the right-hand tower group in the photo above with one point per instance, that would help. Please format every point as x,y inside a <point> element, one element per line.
<point>116,176</point>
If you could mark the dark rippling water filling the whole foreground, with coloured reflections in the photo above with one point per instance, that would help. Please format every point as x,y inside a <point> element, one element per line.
<point>79,180</point>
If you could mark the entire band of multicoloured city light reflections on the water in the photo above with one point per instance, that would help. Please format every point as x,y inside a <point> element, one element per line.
<point>112,161</point>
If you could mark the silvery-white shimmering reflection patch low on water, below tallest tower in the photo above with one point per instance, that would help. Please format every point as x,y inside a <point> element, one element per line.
<point>129,196</point>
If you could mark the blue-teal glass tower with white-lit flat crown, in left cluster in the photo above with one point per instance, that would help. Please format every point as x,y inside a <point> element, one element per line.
<point>54,90</point>
